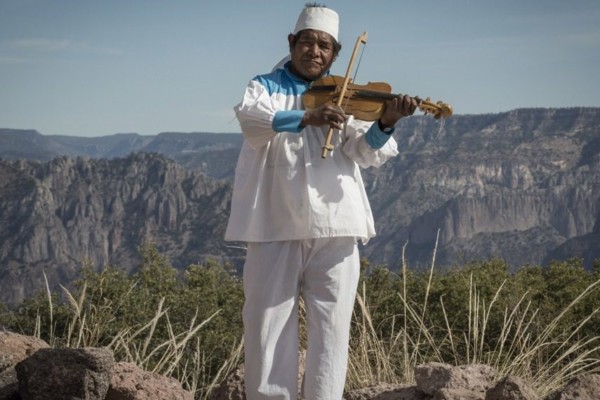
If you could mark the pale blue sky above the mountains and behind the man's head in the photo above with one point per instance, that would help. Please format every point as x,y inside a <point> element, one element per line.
<point>93,68</point>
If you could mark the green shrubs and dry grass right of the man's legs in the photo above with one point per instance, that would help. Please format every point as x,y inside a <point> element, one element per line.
<point>538,323</point>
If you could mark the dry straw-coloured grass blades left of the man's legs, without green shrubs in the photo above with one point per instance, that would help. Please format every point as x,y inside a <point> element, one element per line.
<point>180,356</point>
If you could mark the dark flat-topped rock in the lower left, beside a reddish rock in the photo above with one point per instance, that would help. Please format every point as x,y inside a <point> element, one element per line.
<point>51,374</point>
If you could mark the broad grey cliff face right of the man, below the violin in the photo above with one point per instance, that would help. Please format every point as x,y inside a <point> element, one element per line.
<point>517,185</point>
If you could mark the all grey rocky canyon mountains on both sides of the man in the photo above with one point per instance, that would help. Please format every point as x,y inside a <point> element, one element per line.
<point>522,185</point>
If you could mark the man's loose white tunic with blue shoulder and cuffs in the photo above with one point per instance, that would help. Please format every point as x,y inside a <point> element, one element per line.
<point>283,188</point>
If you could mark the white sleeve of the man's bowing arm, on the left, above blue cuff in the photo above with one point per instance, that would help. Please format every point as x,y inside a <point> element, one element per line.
<point>255,114</point>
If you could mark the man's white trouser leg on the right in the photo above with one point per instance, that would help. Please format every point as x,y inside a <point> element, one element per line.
<point>331,275</point>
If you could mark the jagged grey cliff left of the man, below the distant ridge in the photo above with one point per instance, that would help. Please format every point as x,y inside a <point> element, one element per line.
<point>57,215</point>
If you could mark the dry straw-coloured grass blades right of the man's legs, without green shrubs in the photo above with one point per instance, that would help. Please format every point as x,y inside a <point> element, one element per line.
<point>548,358</point>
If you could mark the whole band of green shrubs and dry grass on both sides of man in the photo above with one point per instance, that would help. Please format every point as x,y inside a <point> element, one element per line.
<point>538,323</point>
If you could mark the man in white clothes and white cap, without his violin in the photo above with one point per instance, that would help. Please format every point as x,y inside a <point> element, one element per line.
<point>302,215</point>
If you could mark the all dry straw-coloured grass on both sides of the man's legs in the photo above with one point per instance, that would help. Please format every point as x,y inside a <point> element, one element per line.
<point>547,358</point>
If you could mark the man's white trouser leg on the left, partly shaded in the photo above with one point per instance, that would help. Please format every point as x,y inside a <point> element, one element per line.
<point>271,289</point>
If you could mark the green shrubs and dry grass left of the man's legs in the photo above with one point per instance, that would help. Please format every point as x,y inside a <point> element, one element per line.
<point>183,325</point>
